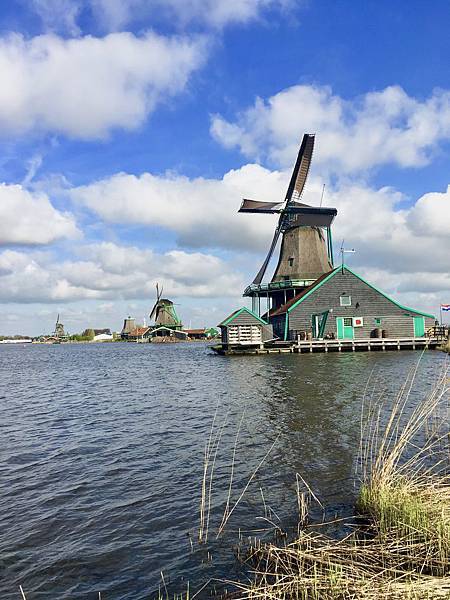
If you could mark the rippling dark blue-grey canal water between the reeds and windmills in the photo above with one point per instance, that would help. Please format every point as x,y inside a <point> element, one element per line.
<point>102,455</point>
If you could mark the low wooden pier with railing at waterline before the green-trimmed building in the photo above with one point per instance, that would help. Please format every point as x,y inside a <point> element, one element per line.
<point>310,346</point>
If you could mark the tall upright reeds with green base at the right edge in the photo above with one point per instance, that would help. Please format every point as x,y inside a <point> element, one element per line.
<point>405,490</point>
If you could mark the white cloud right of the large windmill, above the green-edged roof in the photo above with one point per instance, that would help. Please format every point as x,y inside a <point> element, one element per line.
<point>385,235</point>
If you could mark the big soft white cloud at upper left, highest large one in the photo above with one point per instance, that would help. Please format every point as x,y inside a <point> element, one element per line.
<point>85,87</point>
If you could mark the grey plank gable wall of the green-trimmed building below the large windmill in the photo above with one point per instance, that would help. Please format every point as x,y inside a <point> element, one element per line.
<point>371,305</point>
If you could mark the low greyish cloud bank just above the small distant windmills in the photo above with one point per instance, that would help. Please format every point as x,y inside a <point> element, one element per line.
<point>108,271</point>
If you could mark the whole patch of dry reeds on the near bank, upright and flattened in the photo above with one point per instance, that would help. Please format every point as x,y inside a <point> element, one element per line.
<point>403,549</point>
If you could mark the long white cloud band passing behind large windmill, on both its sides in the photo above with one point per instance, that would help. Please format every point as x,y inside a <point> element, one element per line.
<point>409,243</point>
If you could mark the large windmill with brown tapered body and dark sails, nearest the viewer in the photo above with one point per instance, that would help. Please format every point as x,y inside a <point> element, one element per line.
<point>306,247</point>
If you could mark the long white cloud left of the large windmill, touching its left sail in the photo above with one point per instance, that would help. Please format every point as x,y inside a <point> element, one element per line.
<point>202,212</point>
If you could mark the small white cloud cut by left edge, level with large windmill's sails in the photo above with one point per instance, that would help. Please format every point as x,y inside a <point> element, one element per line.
<point>27,218</point>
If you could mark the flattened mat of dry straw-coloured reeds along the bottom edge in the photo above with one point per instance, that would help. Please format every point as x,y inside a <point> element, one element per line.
<point>315,567</point>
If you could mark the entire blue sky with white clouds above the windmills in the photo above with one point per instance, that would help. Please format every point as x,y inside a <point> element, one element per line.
<point>130,130</point>
